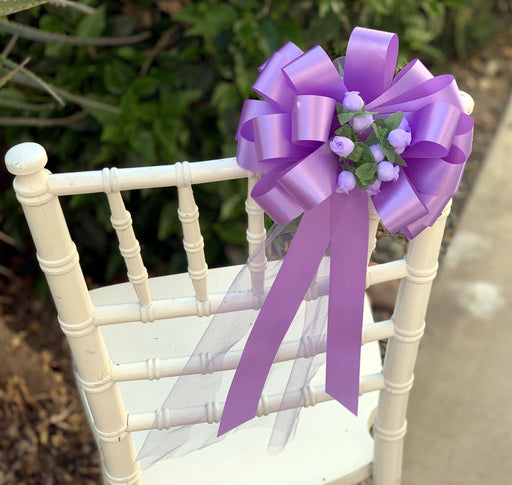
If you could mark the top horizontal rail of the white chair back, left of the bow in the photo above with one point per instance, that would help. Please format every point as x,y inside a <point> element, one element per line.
<point>114,179</point>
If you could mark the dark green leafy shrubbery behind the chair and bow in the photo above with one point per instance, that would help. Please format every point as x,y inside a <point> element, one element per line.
<point>176,94</point>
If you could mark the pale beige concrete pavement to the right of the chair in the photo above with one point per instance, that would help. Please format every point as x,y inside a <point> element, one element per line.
<point>460,409</point>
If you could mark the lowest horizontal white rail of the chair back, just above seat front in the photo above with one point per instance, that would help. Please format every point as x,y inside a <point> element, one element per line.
<point>212,412</point>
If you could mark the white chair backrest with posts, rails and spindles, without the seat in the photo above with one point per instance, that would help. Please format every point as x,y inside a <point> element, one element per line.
<point>38,191</point>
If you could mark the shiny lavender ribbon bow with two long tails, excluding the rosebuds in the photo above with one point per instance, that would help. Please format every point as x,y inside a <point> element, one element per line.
<point>286,138</point>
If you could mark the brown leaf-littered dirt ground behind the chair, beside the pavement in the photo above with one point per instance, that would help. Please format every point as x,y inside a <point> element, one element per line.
<point>44,437</point>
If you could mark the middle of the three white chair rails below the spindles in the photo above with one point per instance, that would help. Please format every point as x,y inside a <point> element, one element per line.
<point>207,363</point>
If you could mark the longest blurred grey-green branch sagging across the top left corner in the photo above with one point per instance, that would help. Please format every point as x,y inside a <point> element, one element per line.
<point>38,35</point>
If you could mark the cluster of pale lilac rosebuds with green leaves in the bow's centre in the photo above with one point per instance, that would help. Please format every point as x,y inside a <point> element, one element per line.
<point>369,148</point>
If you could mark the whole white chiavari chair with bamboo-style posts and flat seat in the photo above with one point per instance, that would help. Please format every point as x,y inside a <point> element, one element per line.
<point>128,341</point>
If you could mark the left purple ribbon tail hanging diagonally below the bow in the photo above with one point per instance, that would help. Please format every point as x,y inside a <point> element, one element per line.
<point>291,284</point>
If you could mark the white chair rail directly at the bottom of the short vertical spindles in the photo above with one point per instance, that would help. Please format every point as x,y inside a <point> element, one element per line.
<point>188,306</point>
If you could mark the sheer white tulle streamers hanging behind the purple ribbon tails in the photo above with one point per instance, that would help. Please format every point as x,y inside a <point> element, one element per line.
<point>227,330</point>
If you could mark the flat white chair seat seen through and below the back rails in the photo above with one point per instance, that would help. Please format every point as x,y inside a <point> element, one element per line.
<point>329,443</point>
